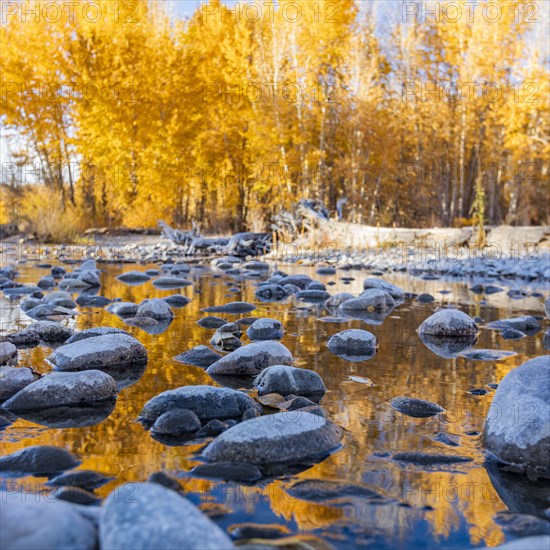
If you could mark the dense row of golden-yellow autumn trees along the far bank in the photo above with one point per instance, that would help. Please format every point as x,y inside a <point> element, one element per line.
<point>136,116</point>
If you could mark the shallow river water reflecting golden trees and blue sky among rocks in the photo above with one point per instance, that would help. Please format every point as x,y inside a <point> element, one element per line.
<point>448,507</point>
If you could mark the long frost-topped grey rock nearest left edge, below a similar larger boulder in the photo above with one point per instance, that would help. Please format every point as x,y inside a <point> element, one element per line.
<point>63,389</point>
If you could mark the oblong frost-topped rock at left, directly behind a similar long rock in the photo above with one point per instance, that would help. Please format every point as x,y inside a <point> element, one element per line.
<point>109,350</point>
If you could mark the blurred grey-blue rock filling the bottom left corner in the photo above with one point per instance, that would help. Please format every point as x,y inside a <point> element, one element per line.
<point>45,525</point>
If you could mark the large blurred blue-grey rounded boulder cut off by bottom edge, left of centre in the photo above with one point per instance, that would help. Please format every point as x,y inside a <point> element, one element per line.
<point>156,518</point>
